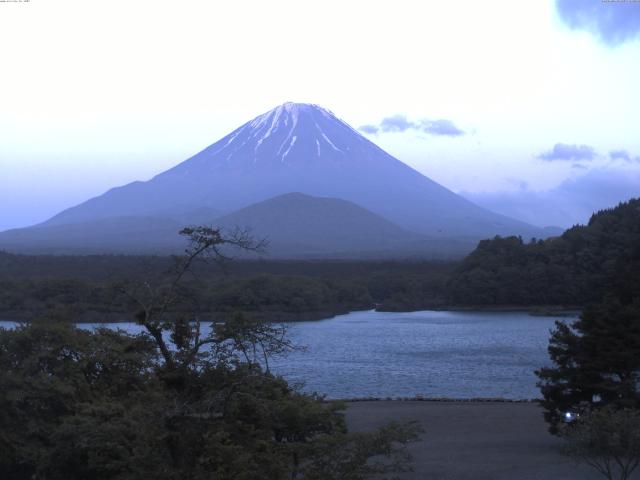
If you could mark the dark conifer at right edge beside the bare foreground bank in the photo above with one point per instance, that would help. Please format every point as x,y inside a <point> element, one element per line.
<point>596,361</point>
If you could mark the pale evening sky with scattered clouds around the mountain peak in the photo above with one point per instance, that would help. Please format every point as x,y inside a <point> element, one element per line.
<point>98,94</point>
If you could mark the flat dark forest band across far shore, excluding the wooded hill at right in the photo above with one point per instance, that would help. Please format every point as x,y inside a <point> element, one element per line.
<point>94,288</point>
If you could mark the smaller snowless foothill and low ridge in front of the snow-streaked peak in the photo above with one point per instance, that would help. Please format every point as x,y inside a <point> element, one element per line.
<point>295,225</point>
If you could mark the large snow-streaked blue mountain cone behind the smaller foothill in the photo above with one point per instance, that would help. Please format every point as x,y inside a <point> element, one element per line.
<point>300,148</point>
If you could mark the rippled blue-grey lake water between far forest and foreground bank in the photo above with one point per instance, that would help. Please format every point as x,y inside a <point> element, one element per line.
<point>434,354</point>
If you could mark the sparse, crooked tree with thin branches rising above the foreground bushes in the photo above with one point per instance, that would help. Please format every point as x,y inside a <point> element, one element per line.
<point>179,337</point>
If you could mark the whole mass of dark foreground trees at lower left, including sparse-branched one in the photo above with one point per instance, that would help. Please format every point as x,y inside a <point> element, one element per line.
<point>177,401</point>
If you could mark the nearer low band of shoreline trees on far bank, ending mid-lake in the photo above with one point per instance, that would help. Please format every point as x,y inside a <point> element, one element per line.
<point>274,297</point>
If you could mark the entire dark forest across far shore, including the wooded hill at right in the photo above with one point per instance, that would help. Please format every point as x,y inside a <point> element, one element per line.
<point>571,270</point>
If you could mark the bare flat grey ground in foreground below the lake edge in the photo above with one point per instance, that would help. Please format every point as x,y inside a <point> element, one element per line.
<point>475,440</point>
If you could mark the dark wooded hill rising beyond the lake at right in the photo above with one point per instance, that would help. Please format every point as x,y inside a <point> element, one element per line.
<point>573,269</point>
